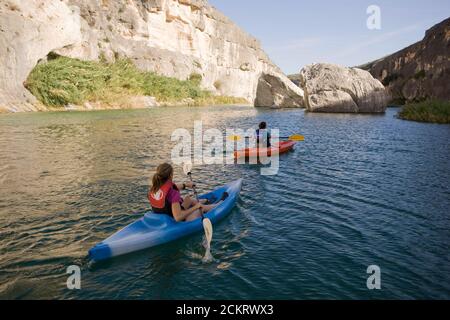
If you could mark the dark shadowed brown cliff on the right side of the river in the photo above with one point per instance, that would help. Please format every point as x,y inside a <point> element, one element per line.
<point>419,72</point>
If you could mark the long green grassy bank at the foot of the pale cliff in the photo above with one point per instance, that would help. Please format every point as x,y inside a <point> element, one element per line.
<point>63,81</point>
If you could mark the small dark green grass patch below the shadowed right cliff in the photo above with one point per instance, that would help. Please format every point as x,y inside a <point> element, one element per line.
<point>427,111</point>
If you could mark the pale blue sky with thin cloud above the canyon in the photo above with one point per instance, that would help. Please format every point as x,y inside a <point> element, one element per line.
<point>295,33</point>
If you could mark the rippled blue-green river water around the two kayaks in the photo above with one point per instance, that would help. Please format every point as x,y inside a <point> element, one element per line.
<point>361,190</point>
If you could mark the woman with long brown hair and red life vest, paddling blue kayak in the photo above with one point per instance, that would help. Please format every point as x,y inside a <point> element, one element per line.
<point>165,197</point>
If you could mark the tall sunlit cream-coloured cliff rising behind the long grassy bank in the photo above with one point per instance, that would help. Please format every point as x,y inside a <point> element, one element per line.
<point>174,38</point>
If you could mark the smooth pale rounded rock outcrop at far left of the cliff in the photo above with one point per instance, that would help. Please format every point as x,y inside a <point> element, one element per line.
<point>29,30</point>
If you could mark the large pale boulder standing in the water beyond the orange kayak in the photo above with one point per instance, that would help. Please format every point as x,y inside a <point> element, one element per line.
<point>332,88</point>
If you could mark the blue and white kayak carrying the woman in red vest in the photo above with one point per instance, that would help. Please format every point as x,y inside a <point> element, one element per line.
<point>155,229</point>
